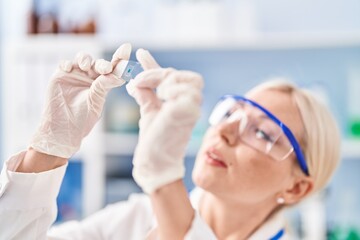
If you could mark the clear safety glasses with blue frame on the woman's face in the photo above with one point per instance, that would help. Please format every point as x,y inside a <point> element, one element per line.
<point>258,128</point>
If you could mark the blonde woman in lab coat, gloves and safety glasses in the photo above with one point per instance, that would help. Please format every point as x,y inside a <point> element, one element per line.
<point>262,153</point>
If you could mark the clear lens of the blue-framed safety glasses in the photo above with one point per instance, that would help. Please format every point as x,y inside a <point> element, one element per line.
<point>256,129</point>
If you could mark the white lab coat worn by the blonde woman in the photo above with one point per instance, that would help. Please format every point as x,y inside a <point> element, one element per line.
<point>28,209</point>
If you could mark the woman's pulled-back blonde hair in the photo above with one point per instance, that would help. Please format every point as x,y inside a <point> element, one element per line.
<point>321,138</point>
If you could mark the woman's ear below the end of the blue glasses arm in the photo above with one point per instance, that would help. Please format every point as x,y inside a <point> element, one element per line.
<point>301,187</point>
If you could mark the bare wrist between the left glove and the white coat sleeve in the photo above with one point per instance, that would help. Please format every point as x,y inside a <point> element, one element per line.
<point>35,162</point>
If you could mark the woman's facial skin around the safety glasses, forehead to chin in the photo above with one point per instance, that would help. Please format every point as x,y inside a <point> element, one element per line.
<point>231,169</point>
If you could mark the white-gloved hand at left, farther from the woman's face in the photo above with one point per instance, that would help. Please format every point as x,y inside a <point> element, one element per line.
<point>74,102</point>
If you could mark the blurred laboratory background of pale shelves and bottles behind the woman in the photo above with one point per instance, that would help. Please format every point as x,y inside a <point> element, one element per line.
<point>234,44</point>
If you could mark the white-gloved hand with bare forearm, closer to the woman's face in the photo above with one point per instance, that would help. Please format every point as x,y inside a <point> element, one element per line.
<point>170,104</point>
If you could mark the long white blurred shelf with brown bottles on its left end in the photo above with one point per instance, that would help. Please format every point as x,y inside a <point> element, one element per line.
<point>255,41</point>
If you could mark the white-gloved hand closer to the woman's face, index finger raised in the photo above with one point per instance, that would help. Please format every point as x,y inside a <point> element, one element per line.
<point>168,116</point>
